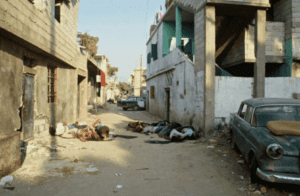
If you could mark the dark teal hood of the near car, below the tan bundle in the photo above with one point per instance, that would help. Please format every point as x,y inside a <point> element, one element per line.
<point>290,144</point>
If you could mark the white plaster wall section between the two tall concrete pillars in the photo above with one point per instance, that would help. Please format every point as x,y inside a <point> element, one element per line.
<point>229,93</point>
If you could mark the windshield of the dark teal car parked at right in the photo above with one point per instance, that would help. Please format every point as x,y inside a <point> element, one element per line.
<point>262,115</point>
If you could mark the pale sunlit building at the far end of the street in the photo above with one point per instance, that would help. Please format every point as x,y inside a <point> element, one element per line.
<point>138,82</point>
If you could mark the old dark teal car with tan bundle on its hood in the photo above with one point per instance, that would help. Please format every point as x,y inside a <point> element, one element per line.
<point>267,133</point>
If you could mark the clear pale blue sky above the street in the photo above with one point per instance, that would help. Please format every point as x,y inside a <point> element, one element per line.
<point>123,30</point>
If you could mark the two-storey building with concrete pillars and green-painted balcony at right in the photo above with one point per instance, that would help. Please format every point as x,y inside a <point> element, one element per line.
<point>203,50</point>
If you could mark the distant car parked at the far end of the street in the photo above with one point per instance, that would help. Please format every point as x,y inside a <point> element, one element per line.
<point>135,103</point>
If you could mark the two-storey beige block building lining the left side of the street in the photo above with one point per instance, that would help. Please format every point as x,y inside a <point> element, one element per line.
<point>43,74</point>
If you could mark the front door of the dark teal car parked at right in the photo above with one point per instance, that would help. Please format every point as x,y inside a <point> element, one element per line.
<point>245,126</point>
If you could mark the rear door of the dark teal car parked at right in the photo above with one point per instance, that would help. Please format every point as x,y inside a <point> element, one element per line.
<point>237,126</point>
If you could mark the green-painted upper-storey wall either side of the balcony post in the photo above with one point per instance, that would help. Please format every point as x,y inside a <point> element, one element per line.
<point>169,31</point>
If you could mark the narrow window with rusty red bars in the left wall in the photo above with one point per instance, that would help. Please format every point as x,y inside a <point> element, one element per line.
<point>52,85</point>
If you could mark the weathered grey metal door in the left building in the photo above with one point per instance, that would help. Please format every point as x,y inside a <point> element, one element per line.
<point>28,106</point>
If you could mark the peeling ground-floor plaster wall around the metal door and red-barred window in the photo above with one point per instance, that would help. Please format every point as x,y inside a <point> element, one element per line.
<point>11,71</point>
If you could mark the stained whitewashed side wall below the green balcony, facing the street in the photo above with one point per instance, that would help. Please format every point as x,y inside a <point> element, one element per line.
<point>181,89</point>
